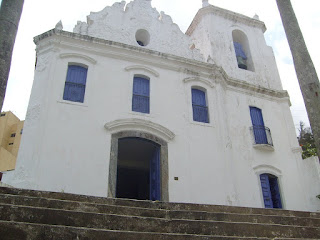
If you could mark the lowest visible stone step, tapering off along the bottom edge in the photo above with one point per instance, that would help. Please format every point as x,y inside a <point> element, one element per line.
<point>22,231</point>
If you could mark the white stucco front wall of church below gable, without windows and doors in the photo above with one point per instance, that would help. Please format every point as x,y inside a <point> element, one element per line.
<point>66,146</point>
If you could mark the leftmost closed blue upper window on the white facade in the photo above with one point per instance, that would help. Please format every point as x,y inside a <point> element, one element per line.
<point>75,85</point>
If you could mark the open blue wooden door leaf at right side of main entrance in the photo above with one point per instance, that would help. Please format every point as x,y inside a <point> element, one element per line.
<point>155,175</point>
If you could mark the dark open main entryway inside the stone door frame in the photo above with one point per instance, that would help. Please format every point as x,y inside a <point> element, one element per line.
<point>138,169</point>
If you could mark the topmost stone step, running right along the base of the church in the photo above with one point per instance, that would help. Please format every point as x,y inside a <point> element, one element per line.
<point>156,204</point>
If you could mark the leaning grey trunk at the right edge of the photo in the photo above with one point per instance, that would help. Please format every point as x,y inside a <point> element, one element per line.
<point>306,73</point>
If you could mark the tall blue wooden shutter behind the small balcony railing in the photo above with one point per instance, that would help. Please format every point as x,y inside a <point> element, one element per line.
<point>259,130</point>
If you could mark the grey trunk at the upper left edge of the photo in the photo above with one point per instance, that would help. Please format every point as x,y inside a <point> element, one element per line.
<point>10,13</point>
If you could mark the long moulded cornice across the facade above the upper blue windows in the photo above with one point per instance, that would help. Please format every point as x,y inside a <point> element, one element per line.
<point>195,69</point>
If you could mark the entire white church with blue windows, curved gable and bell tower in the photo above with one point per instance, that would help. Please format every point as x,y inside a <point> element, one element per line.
<point>128,106</point>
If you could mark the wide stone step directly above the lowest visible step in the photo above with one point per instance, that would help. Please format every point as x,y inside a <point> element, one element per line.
<point>156,225</point>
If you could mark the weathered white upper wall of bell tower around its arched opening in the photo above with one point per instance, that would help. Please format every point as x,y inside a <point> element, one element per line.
<point>211,30</point>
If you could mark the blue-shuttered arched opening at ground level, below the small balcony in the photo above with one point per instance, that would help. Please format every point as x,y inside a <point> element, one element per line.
<point>270,191</point>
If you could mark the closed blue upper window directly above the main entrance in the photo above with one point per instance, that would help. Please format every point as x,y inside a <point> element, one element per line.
<point>141,95</point>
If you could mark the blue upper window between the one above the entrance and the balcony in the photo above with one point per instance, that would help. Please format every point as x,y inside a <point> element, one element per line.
<point>199,106</point>
